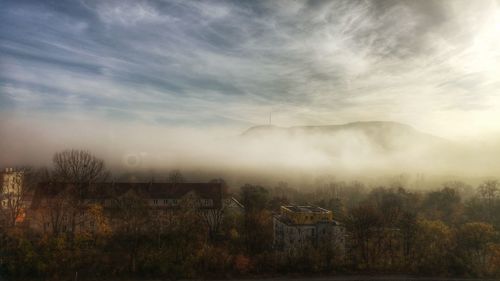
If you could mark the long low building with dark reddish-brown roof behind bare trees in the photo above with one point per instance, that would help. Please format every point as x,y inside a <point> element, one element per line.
<point>54,208</point>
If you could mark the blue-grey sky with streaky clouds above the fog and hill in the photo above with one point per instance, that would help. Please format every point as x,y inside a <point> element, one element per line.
<point>432,64</point>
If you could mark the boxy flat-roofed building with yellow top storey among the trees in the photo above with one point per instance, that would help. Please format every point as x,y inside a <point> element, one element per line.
<point>297,227</point>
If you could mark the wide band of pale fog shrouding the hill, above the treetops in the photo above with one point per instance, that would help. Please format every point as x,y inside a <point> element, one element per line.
<point>357,149</point>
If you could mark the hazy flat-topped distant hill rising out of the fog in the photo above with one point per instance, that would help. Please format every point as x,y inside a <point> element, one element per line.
<point>381,134</point>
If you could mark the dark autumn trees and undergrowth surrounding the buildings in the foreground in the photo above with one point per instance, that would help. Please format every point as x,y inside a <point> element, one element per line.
<point>390,229</point>
